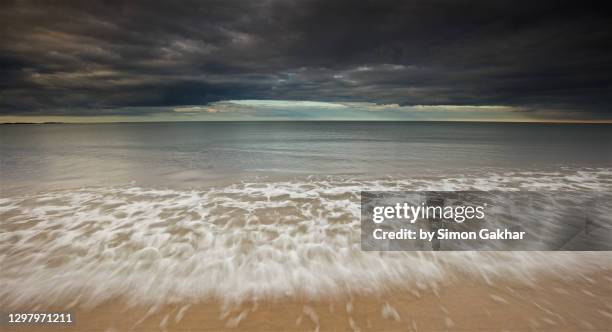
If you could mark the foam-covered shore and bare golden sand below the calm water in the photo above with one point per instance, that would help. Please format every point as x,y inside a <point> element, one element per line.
<point>260,257</point>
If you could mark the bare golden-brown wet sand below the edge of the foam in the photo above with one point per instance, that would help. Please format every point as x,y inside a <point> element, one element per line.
<point>579,302</point>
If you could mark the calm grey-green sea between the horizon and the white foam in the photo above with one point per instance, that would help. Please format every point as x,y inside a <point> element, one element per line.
<point>204,154</point>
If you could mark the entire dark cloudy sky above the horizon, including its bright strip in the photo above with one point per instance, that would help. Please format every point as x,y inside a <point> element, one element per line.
<point>92,61</point>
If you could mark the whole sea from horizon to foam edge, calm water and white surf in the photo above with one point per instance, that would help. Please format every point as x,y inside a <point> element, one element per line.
<point>239,211</point>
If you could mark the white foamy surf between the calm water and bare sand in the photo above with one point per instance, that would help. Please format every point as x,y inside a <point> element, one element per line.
<point>247,241</point>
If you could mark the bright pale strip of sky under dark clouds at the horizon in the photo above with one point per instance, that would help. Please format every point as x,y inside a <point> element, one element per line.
<point>304,110</point>
